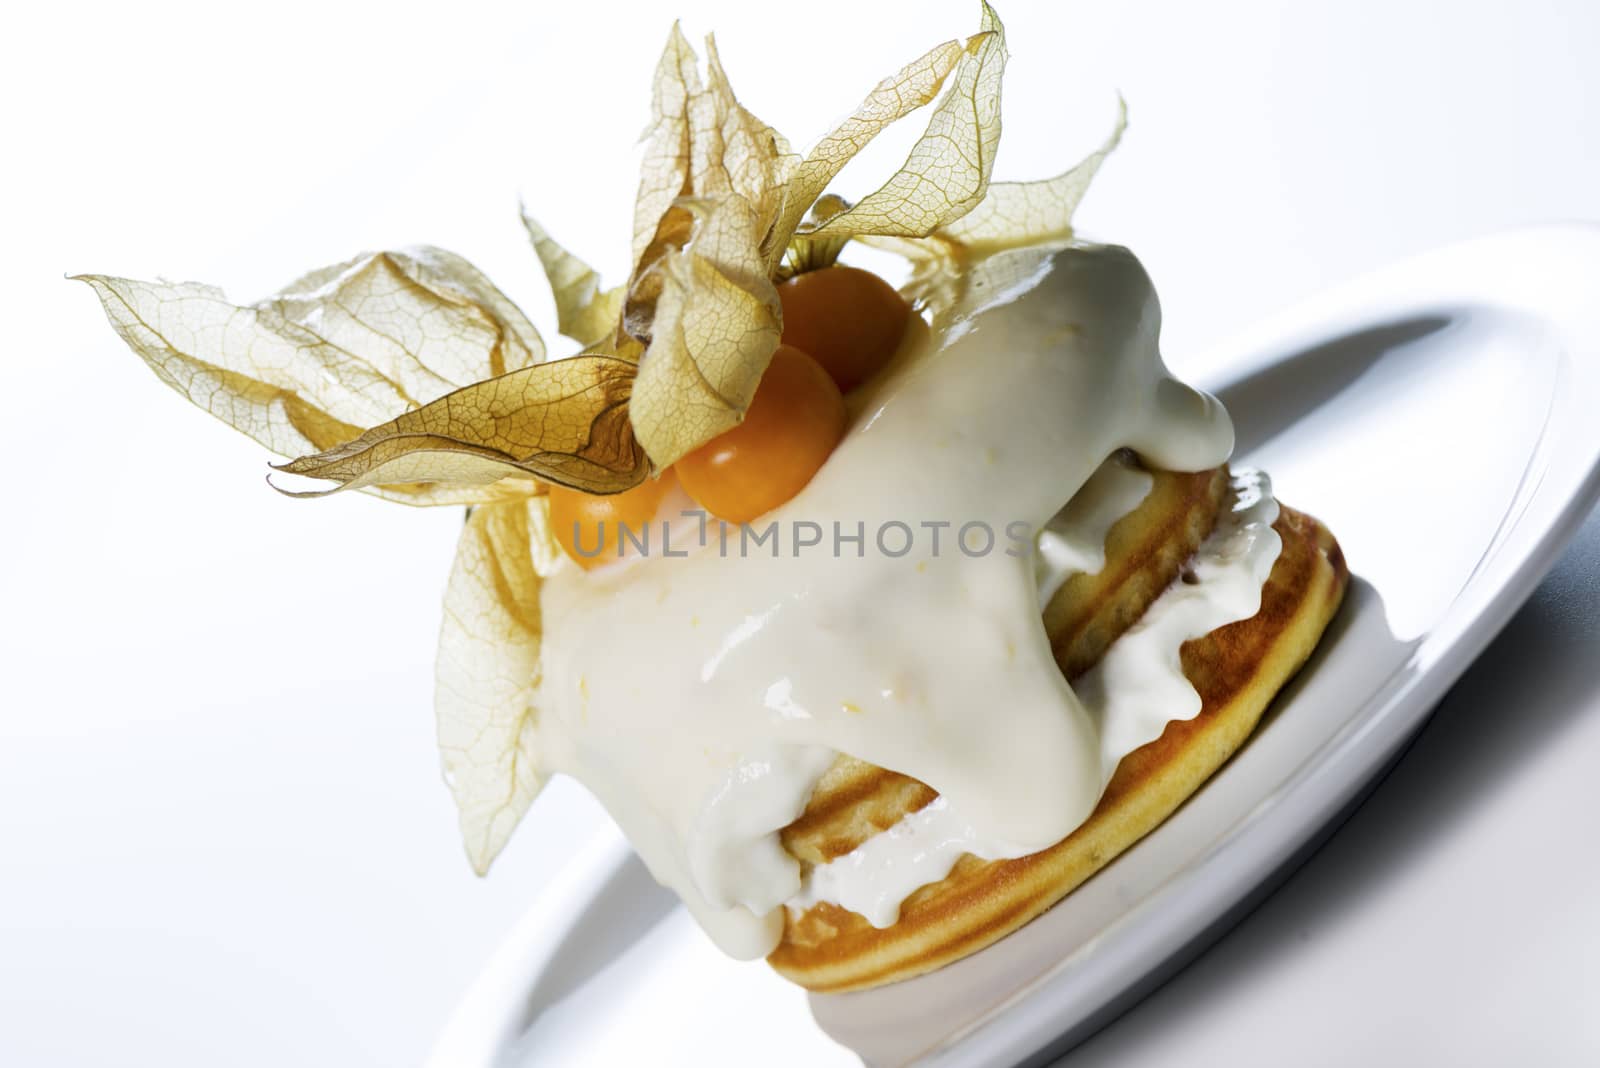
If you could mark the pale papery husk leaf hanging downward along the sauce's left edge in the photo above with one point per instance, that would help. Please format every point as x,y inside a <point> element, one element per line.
<point>487,677</point>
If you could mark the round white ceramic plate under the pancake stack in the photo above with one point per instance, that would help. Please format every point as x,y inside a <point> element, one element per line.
<point>1441,416</point>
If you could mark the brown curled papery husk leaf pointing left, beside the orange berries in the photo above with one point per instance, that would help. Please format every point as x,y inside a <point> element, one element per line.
<point>564,423</point>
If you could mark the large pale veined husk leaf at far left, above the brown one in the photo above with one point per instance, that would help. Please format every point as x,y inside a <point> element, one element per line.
<point>340,349</point>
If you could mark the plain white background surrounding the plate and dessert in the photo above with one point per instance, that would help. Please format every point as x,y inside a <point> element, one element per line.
<point>223,839</point>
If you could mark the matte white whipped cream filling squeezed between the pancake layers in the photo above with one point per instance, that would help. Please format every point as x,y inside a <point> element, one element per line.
<point>1130,696</point>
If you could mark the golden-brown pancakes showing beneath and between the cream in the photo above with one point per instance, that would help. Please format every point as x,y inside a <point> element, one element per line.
<point>1236,671</point>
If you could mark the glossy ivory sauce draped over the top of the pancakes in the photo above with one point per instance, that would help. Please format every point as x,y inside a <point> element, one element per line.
<point>700,696</point>
